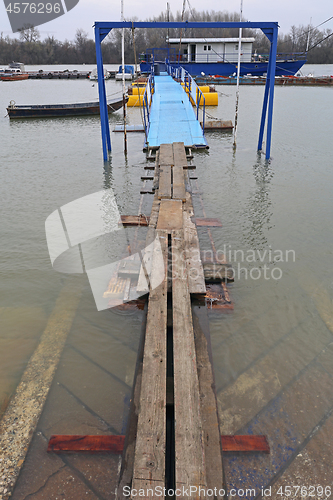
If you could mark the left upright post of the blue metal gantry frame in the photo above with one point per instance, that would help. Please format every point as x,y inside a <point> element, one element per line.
<point>106,141</point>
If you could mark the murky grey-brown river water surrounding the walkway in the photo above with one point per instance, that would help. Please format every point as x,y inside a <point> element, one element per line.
<point>277,234</point>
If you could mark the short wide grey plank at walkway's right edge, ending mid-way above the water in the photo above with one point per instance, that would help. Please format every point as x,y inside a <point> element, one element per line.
<point>196,278</point>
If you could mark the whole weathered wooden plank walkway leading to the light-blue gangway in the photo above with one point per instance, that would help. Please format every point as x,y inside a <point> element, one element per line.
<point>171,225</point>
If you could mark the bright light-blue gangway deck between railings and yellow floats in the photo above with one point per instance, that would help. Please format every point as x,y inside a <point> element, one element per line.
<point>172,118</point>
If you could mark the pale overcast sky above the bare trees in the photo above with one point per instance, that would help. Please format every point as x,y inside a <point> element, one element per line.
<point>285,12</point>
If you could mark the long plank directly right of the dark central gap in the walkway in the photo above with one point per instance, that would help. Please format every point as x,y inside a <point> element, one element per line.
<point>189,445</point>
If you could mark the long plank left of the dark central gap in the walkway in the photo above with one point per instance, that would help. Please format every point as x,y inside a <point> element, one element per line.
<point>149,461</point>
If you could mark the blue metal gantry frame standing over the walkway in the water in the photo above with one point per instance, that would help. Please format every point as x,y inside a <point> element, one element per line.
<point>102,29</point>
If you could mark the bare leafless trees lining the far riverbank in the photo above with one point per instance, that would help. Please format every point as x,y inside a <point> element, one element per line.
<point>31,50</point>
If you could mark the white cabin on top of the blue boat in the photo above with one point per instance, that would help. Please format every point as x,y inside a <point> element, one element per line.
<point>203,50</point>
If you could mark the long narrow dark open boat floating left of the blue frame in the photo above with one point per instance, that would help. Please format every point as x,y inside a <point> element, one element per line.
<point>54,110</point>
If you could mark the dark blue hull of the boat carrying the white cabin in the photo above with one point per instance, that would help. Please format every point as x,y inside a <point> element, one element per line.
<point>226,69</point>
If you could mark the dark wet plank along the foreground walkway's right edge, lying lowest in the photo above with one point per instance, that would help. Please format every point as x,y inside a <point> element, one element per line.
<point>208,403</point>
